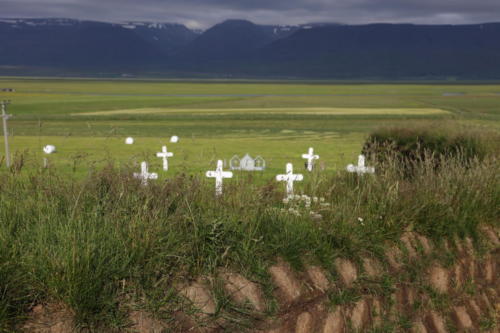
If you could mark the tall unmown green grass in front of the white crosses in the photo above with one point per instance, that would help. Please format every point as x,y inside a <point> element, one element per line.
<point>100,243</point>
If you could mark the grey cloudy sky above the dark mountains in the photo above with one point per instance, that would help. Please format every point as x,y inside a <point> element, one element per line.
<point>204,13</point>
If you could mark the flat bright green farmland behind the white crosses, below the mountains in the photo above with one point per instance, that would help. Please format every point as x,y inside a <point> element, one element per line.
<point>88,120</point>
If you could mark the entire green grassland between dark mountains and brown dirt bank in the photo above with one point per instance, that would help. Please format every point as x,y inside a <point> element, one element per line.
<point>86,235</point>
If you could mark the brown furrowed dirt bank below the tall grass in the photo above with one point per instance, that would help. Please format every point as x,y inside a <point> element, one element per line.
<point>425,296</point>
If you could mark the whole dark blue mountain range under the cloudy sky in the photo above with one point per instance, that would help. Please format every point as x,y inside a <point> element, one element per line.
<point>242,48</point>
